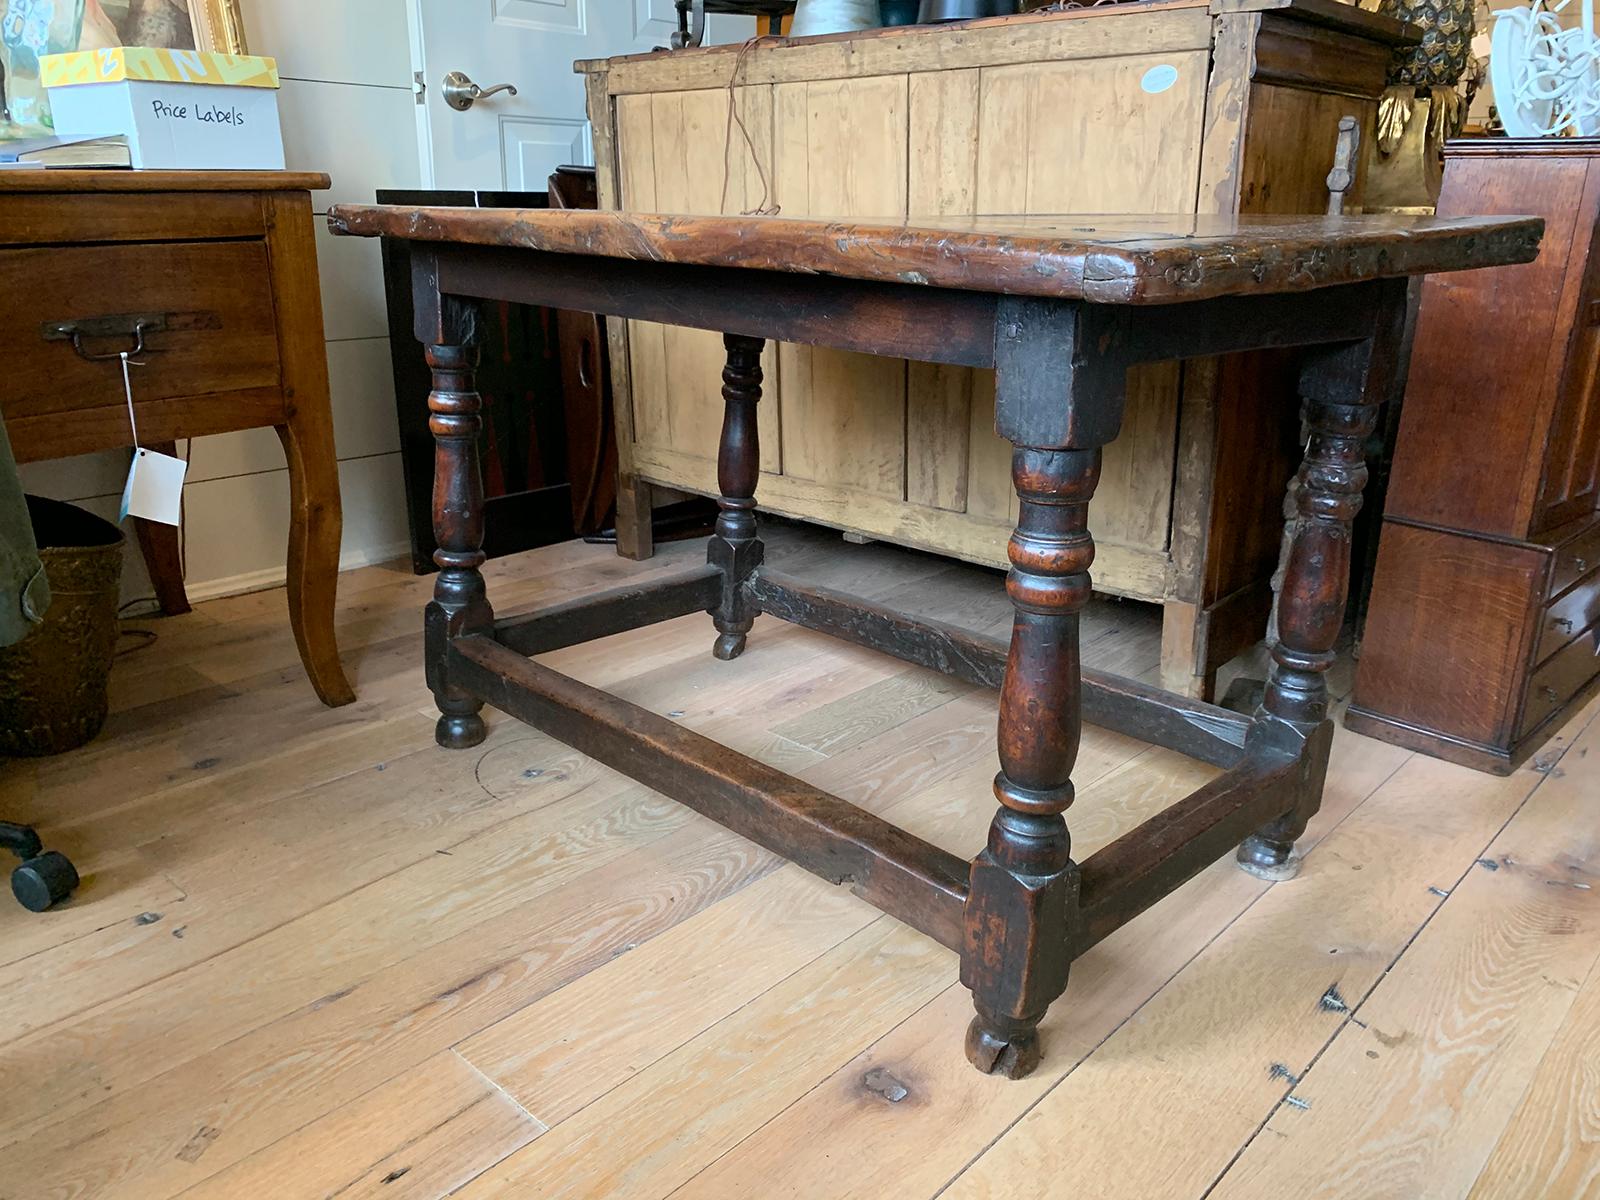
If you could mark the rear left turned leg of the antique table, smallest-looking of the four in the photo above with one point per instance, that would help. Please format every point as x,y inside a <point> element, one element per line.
<point>735,548</point>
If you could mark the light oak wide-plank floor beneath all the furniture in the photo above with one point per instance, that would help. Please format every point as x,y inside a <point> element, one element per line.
<point>314,956</point>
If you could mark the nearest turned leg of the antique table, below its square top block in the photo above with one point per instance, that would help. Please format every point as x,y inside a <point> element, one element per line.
<point>1025,884</point>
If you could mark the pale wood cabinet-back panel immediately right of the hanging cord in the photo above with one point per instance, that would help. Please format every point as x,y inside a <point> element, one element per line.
<point>842,151</point>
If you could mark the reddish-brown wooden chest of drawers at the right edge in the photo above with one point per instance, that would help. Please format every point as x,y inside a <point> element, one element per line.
<point>1484,626</point>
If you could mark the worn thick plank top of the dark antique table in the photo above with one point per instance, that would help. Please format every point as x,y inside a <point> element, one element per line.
<point>1110,260</point>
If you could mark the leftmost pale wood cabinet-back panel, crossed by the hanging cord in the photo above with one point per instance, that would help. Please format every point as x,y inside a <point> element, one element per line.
<point>679,161</point>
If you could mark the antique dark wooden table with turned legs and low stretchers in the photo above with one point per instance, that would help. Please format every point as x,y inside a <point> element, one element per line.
<point>1060,308</point>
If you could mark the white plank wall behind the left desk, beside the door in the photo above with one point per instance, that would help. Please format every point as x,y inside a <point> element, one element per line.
<point>350,111</point>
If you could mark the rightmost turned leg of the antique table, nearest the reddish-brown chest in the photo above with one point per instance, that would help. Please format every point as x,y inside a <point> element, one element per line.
<point>1342,388</point>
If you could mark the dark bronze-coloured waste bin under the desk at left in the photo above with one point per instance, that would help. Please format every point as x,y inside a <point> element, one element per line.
<point>54,682</point>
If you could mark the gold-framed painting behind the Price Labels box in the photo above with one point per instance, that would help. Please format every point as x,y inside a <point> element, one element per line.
<point>30,30</point>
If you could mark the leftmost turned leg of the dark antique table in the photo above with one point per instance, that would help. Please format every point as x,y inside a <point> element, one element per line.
<point>460,602</point>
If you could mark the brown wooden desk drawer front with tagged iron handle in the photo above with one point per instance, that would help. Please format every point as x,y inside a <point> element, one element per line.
<point>225,335</point>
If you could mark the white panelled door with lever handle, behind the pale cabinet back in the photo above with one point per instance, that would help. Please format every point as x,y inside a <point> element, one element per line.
<point>516,142</point>
